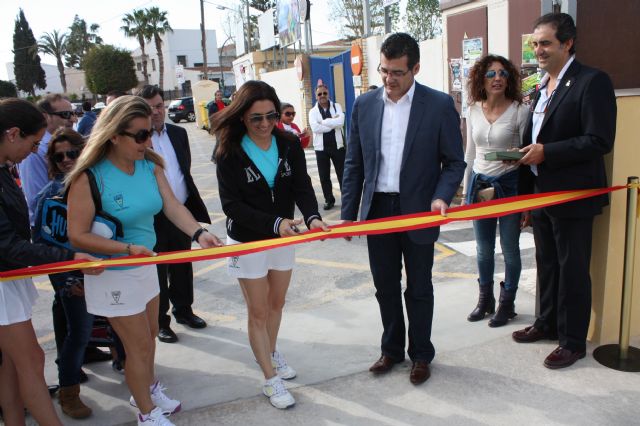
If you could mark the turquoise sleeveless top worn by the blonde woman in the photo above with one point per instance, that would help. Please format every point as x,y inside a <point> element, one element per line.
<point>132,199</point>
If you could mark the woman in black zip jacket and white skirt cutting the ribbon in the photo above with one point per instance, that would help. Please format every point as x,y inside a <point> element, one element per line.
<point>262,175</point>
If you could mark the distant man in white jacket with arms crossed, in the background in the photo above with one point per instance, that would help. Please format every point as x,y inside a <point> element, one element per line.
<point>326,120</point>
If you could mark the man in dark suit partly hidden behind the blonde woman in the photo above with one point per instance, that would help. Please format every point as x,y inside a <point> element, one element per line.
<point>176,280</point>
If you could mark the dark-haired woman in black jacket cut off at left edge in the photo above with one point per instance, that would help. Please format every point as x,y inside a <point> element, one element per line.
<point>22,383</point>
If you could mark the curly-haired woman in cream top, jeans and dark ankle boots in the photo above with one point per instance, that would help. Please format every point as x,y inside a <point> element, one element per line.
<point>495,122</point>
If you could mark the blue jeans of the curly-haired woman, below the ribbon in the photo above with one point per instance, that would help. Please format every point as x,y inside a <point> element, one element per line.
<point>485,231</point>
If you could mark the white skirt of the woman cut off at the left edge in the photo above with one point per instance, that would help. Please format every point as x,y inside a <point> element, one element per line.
<point>17,298</point>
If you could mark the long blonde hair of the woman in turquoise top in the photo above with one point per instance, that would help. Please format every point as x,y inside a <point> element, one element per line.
<point>113,120</point>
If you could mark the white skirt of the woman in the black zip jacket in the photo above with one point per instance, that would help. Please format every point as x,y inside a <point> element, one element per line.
<point>257,265</point>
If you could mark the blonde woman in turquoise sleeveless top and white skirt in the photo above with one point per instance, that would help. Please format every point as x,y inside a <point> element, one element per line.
<point>133,188</point>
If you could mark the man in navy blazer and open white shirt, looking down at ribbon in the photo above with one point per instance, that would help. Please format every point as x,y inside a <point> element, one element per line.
<point>404,156</point>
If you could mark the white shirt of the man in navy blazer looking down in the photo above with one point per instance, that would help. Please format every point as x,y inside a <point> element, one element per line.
<point>395,121</point>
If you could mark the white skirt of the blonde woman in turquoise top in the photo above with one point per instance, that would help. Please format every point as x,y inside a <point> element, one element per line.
<point>121,292</point>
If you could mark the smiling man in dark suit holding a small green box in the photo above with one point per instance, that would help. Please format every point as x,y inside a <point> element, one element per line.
<point>571,127</point>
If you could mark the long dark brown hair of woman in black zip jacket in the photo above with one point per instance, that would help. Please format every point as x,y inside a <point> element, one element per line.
<point>228,125</point>
